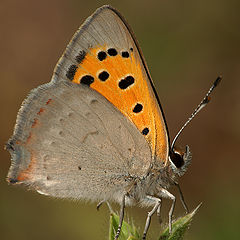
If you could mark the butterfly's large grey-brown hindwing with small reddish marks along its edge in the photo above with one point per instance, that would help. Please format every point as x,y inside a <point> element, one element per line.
<point>69,141</point>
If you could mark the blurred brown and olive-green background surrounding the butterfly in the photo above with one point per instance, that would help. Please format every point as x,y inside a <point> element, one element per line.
<point>186,45</point>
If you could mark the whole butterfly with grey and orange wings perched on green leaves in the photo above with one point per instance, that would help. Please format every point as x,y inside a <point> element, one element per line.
<point>97,130</point>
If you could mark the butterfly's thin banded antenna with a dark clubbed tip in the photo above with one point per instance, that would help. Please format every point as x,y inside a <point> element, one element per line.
<point>201,105</point>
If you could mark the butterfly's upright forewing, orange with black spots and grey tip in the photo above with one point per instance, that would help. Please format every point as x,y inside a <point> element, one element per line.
<point>104,55</point>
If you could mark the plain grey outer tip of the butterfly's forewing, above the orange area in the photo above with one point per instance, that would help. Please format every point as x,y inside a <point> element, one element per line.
<point>106,27</point>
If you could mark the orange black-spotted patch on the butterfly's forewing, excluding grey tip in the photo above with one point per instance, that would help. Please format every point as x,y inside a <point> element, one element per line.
<point>118,76</point>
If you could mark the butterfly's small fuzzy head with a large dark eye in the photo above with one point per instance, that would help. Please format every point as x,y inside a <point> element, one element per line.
<point>180,160</point>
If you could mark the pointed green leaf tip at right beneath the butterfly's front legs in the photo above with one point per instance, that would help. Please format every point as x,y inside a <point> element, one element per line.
<point>179,227</point>
